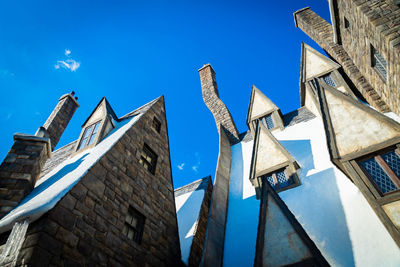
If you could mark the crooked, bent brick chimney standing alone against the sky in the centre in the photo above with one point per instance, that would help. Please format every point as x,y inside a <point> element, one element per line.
<point>211,98</point>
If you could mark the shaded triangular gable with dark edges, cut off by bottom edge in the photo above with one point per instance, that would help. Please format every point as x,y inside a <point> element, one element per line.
<point>281,240</point>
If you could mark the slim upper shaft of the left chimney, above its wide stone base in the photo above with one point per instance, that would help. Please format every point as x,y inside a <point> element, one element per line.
<point>60,117</point>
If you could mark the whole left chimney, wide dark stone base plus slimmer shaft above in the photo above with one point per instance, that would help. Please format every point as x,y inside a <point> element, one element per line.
<point>21,167</point>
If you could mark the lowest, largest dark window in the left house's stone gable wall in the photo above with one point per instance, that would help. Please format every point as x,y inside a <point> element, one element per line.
<point>134,224</point>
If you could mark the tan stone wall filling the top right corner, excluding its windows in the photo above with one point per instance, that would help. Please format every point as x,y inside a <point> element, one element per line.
<point>375,23</point>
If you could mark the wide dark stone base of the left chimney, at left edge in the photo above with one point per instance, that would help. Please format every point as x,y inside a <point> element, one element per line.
<point>20,169</point>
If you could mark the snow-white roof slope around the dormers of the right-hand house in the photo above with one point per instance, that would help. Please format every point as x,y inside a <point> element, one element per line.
<point>327,204</point>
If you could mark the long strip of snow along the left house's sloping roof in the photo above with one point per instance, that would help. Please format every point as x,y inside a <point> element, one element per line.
<point>55,184</point>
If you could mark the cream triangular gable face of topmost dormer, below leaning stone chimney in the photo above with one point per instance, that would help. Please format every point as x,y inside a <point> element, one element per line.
<point>314,64</point>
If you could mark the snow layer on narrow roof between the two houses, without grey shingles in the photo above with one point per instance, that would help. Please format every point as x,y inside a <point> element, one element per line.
<point>188,207</point>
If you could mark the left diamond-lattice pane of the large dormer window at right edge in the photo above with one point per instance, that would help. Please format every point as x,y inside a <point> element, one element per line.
<point>378,175</point>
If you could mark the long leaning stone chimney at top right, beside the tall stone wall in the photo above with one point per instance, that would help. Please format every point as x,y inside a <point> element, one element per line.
<point>321,32</point>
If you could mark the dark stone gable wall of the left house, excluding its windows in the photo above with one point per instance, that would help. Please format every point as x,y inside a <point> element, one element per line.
<point>85,227</point>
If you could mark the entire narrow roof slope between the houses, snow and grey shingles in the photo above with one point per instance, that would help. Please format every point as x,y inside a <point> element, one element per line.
<point>188,200</point>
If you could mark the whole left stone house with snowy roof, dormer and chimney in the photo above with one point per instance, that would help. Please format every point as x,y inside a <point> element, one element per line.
<point>105,199</point>
